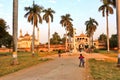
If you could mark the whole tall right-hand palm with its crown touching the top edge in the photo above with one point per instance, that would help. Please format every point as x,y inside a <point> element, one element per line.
<point>106,10</point>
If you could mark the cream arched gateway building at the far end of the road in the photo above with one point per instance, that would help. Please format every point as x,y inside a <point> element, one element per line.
<point>82,42</point>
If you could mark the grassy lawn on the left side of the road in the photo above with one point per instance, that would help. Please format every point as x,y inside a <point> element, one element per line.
<point>25,60</point>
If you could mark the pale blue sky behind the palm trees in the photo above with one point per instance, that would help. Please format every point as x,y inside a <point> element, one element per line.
<point>79,10</point>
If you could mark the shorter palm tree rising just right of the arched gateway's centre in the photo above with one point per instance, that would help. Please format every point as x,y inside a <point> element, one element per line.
<point>91,26</point>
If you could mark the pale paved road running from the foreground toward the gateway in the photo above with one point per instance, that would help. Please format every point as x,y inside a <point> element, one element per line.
<point>64,68</point>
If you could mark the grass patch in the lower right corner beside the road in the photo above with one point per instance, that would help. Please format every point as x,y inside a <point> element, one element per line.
<point>105,71</point>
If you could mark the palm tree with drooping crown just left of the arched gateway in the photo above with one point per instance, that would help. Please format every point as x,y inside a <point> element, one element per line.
<point>66,22</point>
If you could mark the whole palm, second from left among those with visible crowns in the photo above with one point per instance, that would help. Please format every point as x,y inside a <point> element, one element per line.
<point>47,17</point>
